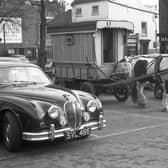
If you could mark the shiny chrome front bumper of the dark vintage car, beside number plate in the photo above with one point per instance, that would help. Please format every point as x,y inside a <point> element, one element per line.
<point>52,133</point>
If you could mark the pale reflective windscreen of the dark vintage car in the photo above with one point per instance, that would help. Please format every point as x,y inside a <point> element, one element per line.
<point>22,74</point>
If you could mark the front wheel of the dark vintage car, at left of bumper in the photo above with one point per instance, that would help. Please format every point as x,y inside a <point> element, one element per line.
<point>11,133</point>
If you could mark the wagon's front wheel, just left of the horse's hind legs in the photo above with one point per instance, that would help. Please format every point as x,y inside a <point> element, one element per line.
<point>121,92</point>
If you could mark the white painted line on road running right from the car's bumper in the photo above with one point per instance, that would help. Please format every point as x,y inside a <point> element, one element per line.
<point>131,131</point>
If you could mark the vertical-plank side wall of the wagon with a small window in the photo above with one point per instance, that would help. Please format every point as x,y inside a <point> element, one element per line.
<point>81,50</point>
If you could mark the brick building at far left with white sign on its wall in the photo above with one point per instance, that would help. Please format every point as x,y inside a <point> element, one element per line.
<point>29,40</point>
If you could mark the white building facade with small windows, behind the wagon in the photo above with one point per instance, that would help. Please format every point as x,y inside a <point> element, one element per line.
<point>144,18</point>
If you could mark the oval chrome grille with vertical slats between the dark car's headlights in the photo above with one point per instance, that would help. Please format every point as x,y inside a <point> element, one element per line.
<point>73,114</point>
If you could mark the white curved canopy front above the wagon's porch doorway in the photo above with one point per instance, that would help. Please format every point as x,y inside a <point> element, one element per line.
<point>115,24</point>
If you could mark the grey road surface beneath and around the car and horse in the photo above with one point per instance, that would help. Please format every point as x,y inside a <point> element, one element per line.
<point>134,137</point>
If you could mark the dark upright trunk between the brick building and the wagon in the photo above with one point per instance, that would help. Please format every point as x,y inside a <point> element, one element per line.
<point>42,53</point>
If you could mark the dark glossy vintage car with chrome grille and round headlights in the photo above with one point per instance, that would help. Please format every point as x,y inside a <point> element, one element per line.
<point>32,108</point>
